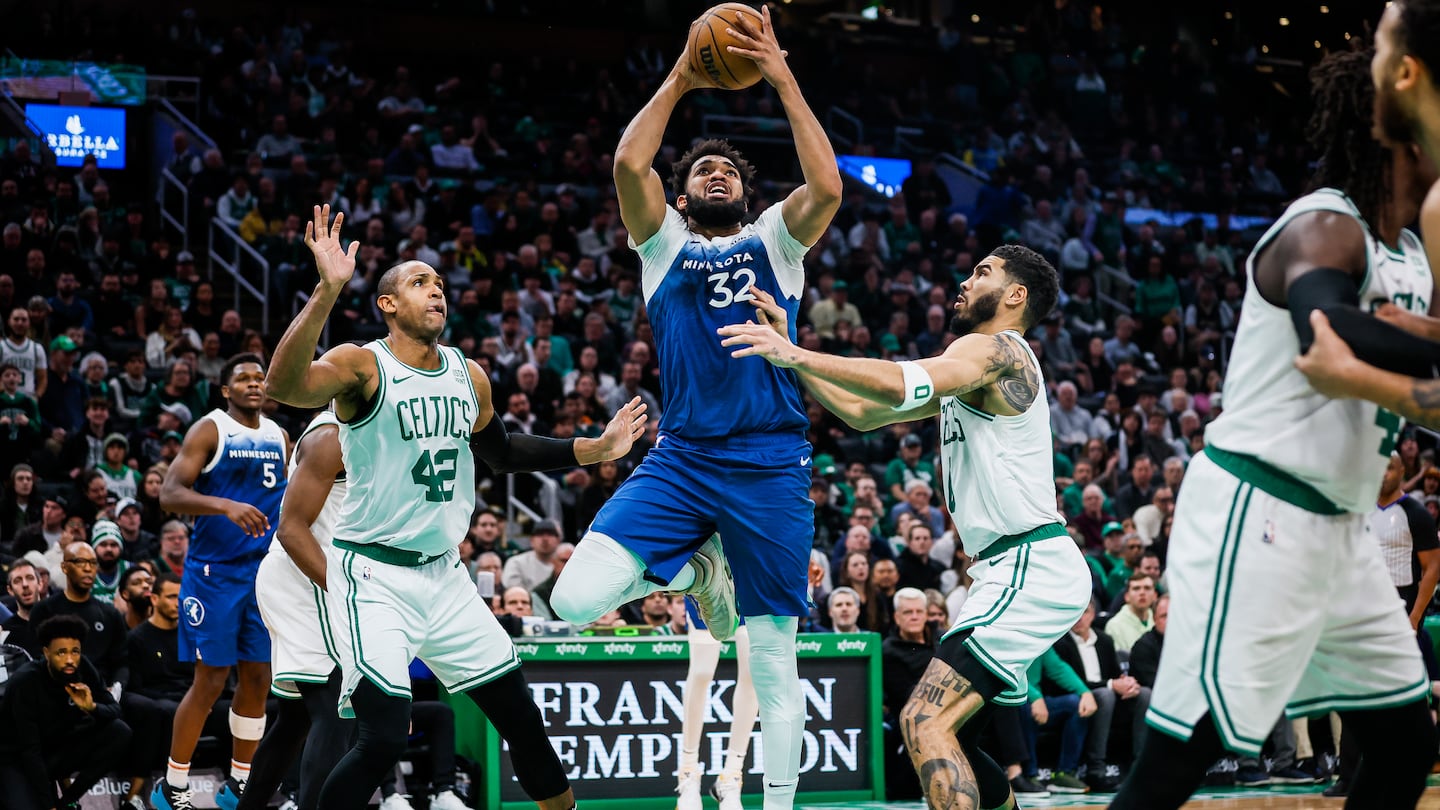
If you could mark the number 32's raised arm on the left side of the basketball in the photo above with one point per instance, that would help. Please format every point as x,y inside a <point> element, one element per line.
<point>637,185</point>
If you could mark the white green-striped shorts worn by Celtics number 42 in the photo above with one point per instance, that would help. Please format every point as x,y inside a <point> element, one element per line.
<point>387,616</point>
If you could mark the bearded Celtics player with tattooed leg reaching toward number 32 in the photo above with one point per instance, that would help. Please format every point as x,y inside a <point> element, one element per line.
<point>1030,582</point>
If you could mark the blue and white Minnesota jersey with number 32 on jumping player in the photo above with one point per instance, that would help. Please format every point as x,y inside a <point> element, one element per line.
<point>695,286</point>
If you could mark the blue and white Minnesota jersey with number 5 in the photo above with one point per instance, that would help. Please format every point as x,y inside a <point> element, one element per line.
<point>248,468</point>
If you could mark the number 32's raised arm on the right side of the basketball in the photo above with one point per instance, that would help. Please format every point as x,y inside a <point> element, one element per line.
<point>811,207</point>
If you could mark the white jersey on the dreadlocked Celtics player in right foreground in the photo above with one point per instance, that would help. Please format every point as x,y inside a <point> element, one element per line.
<point>1340,448</point>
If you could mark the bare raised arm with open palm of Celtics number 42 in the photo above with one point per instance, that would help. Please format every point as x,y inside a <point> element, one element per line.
<point>296,377</point>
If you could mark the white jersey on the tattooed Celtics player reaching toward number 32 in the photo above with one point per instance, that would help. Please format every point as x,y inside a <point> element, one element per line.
<point>1000,472</point>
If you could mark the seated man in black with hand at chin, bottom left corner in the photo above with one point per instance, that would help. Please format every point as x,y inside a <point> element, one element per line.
<point>60,718</point>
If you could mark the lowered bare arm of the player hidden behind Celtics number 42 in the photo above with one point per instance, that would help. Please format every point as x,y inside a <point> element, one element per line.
<point>319,462</point>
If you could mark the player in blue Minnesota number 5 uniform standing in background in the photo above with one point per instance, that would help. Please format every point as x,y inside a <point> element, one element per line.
<point>230,475</point>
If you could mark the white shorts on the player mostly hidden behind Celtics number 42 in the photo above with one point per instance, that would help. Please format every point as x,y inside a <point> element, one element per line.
<point>299,622</point>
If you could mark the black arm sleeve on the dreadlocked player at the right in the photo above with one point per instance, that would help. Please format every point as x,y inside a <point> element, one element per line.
<point>1379,344</point>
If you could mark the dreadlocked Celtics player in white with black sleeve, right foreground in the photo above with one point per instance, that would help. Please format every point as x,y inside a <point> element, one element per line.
<point>1279,602</point>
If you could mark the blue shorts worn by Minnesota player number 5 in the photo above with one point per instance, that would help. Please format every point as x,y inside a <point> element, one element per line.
<point>220,620</point>
